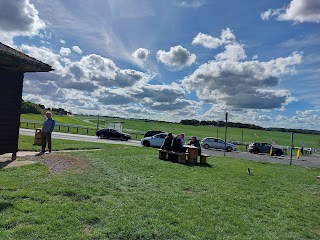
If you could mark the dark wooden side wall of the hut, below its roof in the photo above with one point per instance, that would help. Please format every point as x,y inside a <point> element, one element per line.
<point>10,107</point>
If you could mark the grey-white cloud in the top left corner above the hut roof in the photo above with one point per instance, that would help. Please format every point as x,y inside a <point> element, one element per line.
<point>18,18</point>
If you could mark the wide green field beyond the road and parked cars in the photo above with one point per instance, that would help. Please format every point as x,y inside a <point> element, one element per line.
<point>233,134</point>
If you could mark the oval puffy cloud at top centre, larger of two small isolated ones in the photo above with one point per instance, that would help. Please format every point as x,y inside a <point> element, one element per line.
<point>178,57</point>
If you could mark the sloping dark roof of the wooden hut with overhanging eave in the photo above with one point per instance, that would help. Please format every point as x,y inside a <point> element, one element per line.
<point>18,61</point>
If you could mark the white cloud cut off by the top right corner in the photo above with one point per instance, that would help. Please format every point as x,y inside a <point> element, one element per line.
<point>298,11</point>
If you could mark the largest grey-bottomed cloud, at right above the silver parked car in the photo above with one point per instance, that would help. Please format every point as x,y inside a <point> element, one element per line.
<point>248,84</point>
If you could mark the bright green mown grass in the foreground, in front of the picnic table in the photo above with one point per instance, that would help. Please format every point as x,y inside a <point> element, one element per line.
<point>127,193</point>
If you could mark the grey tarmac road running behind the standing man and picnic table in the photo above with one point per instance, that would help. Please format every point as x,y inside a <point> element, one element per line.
<point>306,161</point>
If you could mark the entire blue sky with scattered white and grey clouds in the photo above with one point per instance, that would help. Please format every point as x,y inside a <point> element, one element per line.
<point>172,59</point>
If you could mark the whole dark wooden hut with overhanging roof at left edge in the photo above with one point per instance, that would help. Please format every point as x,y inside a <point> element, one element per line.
<point>13,65</point>
